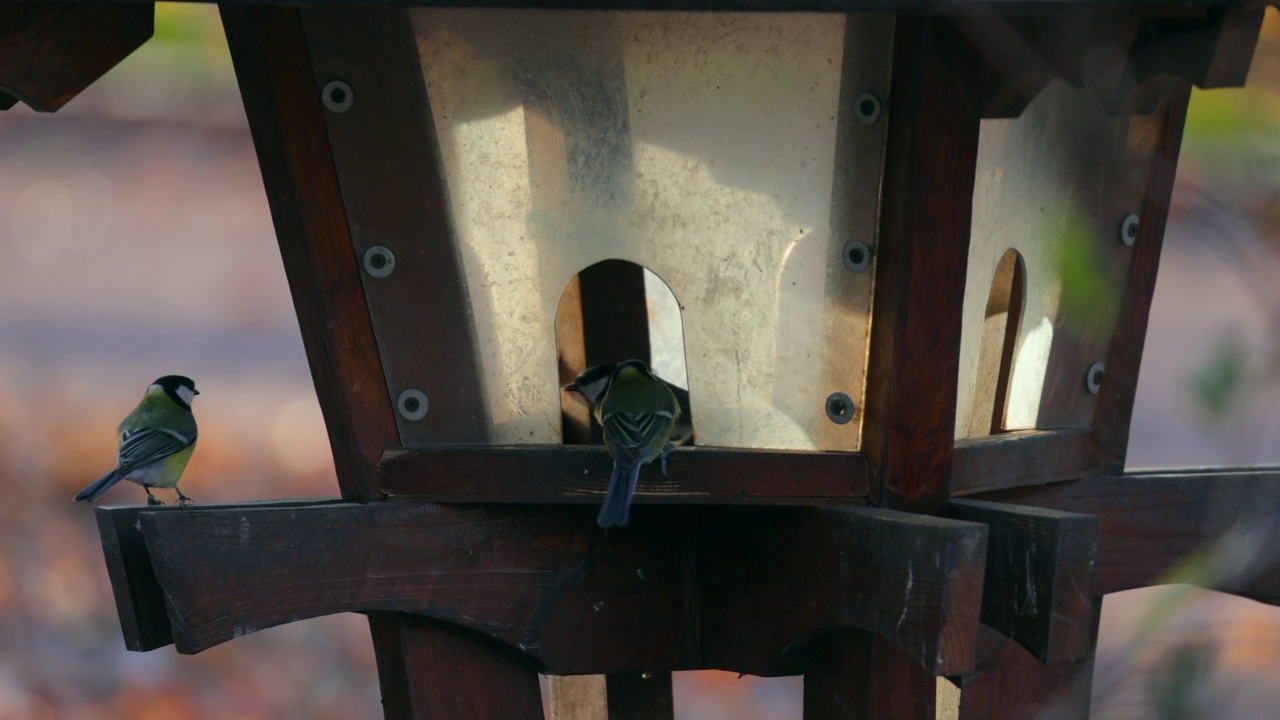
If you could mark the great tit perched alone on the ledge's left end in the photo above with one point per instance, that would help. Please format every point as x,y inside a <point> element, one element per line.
<point>157,441</point>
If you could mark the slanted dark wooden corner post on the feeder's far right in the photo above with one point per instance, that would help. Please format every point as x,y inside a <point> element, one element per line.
<point>1114,408</point>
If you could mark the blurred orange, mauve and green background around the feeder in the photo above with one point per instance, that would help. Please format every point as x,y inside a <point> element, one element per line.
<point>136,241</point>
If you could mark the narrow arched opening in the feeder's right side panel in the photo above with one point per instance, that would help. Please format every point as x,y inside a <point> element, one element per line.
<point>996,350</point>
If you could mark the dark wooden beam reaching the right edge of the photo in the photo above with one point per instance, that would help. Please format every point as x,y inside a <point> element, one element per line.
<point>1212,528</point>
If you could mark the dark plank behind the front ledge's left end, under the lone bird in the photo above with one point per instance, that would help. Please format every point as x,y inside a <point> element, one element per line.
<point>139,599</point>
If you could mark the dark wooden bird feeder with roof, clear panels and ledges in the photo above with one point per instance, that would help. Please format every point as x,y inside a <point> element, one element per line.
<point>911,421</point>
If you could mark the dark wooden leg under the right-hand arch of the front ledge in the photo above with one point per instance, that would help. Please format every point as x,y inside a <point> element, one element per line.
<point>861,677</point>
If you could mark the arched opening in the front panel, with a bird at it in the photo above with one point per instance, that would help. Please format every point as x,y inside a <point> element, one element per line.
<point>611,312</point>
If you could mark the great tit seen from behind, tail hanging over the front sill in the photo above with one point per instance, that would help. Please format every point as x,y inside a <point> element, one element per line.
<point>638,413</point>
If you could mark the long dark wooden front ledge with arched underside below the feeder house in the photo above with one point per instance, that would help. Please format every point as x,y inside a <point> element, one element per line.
<point>660,595</point>
